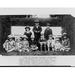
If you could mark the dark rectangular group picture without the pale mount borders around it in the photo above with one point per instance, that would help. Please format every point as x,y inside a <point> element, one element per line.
<point>32,35</point>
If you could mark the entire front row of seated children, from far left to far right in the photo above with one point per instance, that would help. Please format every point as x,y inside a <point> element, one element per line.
<point>22,44</point>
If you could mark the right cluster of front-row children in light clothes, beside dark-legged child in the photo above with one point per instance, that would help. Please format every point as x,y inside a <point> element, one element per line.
<point>59,44</point>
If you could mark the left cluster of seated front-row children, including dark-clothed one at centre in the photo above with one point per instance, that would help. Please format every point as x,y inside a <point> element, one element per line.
<point>20,44</point>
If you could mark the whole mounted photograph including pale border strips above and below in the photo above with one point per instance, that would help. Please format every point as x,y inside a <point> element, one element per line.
<point>38,36</point>
